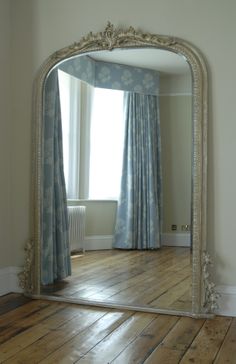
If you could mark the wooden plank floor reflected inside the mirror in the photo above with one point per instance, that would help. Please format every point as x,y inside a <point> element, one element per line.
<point>160,279</point>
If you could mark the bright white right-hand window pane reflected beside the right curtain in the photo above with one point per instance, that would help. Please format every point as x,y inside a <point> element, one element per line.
<point>107,131</point>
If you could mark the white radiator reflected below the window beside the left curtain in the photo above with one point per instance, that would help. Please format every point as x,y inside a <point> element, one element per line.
<point>76,215</point>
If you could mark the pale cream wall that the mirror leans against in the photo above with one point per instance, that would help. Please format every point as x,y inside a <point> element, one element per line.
<point>42,26</point>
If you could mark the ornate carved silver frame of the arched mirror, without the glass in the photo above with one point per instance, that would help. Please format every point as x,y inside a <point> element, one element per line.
<point>203,294</point>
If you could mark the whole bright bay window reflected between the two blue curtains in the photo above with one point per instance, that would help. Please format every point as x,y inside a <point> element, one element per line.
<point>93,133</point>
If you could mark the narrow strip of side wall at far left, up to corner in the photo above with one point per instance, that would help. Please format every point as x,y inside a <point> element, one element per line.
<point>5,133</point>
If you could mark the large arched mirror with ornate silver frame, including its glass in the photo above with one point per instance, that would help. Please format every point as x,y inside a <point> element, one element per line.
<point>120,151</point>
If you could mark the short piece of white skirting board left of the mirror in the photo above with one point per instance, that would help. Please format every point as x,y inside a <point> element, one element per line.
<point>9,281</point>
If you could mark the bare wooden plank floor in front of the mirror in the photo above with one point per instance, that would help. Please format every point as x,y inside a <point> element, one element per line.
<point>38,331</point>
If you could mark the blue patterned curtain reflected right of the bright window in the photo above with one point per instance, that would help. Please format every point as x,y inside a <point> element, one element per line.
<point>139,208</point>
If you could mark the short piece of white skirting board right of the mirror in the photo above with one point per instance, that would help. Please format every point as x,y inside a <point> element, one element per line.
<point>227,300</point>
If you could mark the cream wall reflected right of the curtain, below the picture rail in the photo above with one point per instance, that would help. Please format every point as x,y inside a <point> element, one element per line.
<point>176,141</point>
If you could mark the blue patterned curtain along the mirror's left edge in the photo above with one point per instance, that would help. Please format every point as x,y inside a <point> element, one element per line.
<point>55,252</point>
